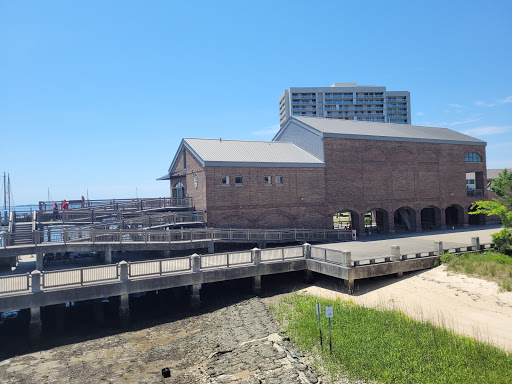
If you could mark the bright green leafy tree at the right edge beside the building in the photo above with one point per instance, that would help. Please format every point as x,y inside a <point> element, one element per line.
<point>501,207</point>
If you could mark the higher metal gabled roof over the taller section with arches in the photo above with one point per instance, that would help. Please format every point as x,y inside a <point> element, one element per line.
<point>351,129</point>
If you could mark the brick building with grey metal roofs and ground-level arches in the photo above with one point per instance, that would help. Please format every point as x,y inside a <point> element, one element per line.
<point>390,176</point>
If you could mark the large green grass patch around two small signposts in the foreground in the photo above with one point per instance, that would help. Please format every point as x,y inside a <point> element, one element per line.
<point>388,346</point>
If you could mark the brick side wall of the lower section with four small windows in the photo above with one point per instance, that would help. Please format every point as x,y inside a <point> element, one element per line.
<point>295,203</point>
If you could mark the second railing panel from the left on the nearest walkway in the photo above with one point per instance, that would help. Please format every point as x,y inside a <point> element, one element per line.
<point>80,276</point>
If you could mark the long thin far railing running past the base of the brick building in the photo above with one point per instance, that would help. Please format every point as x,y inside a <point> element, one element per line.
<point>91,235</point>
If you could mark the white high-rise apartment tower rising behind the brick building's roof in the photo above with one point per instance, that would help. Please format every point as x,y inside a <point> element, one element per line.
<point>347,101</point>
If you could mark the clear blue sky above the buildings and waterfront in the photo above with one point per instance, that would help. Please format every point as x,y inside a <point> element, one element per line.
<point>95,96</point>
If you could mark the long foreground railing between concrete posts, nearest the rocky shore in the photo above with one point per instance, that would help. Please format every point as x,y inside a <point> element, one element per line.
<point>141,269</point>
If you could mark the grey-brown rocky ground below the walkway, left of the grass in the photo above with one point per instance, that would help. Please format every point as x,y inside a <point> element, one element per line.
<point>235,344</point>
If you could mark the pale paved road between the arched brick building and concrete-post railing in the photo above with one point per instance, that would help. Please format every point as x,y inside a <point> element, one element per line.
<point>371,247</point>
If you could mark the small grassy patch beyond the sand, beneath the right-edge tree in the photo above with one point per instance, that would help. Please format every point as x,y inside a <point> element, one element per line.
<point>490,265</point>
